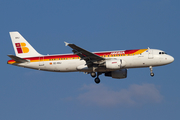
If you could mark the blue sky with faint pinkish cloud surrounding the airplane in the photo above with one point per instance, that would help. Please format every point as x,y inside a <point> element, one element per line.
<point>96,25</point>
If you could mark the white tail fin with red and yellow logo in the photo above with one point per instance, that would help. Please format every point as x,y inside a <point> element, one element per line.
<point>21,47</point>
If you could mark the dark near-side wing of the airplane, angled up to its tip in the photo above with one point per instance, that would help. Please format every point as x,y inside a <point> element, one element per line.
<point>89,57</point>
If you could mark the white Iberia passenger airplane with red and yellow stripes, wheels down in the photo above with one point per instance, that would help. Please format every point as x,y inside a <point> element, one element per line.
<point>110,63</point>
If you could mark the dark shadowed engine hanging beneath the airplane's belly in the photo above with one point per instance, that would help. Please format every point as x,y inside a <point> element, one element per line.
<point>119,74</point>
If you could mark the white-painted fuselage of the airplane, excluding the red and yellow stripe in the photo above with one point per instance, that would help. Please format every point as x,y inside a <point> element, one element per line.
<point>145,59</point>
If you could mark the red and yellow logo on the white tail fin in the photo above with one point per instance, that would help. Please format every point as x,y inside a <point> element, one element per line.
<point>21,48</point>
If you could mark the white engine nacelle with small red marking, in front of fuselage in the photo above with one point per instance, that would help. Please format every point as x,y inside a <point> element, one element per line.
<point>115,63</point>
